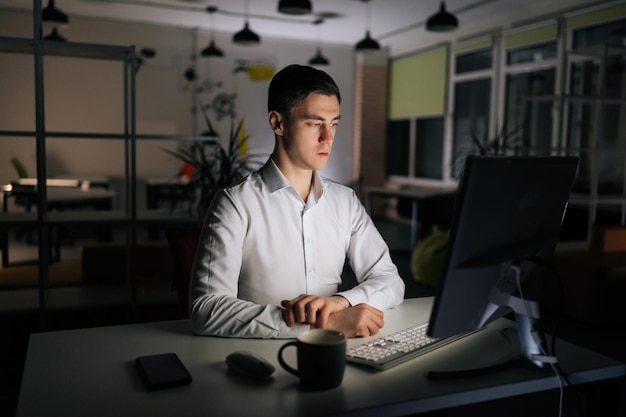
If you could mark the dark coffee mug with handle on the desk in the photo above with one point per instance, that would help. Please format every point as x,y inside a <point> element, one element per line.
<point>321,356</point>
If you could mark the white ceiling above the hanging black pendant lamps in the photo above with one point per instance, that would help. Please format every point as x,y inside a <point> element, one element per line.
<point>398,25</point>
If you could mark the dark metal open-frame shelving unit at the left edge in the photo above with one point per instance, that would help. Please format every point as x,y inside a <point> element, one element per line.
<point>126,217</point>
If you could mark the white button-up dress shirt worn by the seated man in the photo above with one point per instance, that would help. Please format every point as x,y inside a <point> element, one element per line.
<point>261,243</point>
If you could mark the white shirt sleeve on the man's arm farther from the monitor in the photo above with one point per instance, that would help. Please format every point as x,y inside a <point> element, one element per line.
<point>214,307</point>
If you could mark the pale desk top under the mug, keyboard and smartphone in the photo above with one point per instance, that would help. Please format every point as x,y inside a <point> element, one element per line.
<point>91,371</point>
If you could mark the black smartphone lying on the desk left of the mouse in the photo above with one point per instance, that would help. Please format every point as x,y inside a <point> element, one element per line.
<point>162,371</point>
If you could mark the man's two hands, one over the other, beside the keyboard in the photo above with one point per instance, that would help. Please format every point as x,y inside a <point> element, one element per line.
<point>334,313</point>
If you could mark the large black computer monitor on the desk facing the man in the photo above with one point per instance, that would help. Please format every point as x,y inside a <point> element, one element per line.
<point>508,210</point>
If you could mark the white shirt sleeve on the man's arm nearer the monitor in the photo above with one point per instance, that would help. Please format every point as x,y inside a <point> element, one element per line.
<point>380,285</point>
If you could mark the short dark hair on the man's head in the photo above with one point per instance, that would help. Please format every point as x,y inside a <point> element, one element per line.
<point>294,83</point>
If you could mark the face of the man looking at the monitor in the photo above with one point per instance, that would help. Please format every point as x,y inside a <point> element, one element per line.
<point>309,131</point>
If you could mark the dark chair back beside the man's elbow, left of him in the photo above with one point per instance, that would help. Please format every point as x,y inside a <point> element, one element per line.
<point>183,242</point>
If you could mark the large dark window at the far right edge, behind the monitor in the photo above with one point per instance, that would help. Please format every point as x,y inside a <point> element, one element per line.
<point>594,109</point>
